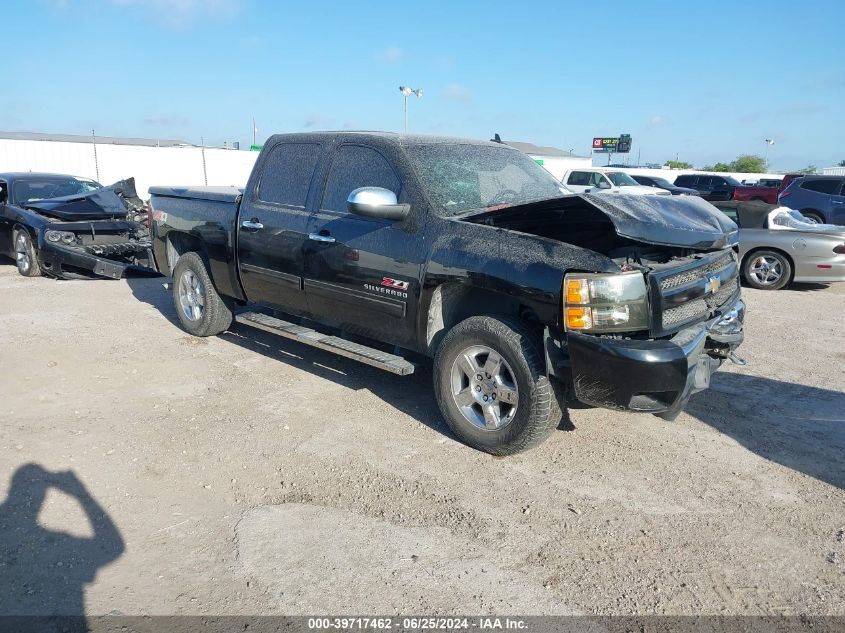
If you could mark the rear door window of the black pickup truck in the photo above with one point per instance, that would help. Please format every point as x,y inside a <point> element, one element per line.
<point>287,173</point>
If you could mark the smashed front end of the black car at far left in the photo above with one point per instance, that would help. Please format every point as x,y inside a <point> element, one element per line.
<point>91,235</point>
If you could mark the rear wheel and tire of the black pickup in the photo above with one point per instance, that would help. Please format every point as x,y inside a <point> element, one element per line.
<point>202,311</point>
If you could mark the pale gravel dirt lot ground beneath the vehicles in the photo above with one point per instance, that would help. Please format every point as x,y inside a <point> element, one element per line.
<point>245,474</point>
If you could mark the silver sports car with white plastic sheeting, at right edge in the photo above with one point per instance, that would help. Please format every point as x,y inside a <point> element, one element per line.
<point>779,246</point>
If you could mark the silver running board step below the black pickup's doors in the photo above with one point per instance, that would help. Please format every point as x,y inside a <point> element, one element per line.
<point>362,353</point>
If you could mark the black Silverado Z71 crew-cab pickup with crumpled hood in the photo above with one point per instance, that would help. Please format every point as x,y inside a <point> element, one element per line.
<point>467,252</point>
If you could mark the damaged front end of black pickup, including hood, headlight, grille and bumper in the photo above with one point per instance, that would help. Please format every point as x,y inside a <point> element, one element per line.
<point>648,337</point>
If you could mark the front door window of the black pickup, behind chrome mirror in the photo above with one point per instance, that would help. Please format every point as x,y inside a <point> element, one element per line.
<point>357,166</point>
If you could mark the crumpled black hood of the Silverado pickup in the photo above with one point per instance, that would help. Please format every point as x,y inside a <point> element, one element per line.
<point>683,221</point>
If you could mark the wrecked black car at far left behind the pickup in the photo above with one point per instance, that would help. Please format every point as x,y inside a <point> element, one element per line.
<point>63,226</point>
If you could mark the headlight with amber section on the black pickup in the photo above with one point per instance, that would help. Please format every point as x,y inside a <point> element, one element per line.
<point>605,303</point>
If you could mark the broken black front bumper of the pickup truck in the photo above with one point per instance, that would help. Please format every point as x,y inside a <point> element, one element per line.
<point>656,376</point>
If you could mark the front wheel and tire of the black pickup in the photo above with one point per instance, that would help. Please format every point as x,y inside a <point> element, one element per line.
<point>491,385</point>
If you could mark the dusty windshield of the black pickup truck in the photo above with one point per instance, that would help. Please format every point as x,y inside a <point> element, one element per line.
<point>461,178</point>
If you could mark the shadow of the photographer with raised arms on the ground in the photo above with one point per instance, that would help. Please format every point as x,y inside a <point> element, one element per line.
<point>43,573</point>
